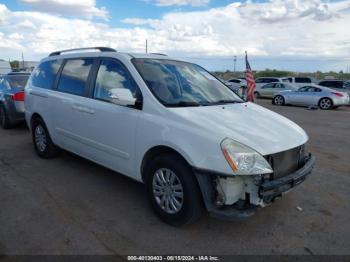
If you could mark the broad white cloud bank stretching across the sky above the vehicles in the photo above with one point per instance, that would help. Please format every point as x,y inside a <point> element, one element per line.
<point>276,29</point>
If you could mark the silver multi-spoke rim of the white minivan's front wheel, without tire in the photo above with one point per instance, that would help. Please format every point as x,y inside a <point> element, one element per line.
<point>168,191</point>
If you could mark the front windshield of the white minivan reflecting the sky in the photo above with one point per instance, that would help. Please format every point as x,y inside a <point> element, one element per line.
<point>181,84</point>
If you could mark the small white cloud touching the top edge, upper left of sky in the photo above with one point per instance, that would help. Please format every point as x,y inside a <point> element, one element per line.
<point>83,8</point>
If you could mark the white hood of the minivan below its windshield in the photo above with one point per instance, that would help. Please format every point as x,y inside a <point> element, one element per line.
<point>247,123</point>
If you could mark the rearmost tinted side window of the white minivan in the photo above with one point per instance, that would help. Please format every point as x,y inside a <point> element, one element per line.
<point>45,74</point>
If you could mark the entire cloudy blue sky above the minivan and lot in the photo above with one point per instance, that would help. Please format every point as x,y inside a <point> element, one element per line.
<point>294,35</point>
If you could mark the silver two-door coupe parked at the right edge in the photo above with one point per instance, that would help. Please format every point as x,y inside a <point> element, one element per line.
<point>312,95</point>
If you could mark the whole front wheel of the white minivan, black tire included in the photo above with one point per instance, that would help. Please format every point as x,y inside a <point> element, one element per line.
<point>173,190</point>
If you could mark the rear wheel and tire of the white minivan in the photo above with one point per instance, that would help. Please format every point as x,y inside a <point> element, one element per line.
<point>42,142</point>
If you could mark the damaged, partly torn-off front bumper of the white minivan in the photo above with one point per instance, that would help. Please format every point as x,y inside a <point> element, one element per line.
<point>261,192</point>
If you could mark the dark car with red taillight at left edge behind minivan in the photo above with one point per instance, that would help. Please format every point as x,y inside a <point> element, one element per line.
<point>12,98</point>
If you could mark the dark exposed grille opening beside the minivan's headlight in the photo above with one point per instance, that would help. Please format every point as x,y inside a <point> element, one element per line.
<point>286,162</point>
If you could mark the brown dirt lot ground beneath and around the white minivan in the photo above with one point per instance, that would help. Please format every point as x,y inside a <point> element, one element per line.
<point>71,206</point>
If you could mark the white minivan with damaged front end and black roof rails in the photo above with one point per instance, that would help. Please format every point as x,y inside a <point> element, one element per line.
<point>169,124</point>
